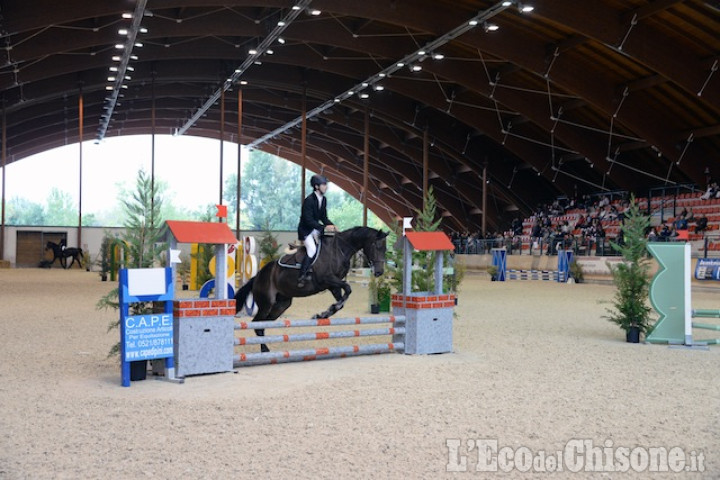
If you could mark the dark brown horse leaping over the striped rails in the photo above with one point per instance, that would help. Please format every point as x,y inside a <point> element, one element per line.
<point>274,287</point>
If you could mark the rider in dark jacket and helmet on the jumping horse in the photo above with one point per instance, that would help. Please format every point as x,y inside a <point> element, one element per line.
<point>313,220</point>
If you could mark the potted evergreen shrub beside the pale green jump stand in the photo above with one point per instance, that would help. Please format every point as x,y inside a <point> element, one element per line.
<point>631,277</point>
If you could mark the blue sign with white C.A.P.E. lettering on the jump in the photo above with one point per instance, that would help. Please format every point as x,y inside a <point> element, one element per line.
<point>148,337</point>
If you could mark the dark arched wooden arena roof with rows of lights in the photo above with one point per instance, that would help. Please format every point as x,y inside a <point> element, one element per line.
<point>569,97</point>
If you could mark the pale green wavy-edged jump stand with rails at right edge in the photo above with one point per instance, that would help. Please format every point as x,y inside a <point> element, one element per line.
<point>671,297</point>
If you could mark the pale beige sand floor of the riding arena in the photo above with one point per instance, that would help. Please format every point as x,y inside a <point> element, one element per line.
<point>534,366</point>
